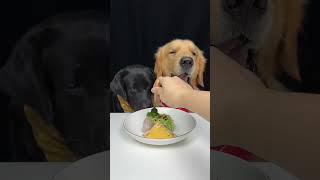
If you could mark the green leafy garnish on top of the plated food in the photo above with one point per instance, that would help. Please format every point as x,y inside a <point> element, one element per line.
<point>164,119</point>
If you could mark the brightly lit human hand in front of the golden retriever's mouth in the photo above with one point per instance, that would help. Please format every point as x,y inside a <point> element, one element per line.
<point>171,90</point>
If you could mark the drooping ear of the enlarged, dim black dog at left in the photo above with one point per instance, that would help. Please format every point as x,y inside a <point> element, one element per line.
<point>23,77</point>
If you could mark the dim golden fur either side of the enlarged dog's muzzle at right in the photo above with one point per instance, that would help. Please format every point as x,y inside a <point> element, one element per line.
<point>278,39</point>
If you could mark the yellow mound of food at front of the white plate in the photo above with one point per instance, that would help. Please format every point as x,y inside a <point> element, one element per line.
<point>159,131</point>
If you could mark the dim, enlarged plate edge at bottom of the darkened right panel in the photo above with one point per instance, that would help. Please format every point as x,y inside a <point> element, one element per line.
<point>228,167</point>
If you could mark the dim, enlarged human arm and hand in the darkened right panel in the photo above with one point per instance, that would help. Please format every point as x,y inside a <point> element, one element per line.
<point>281,127</point>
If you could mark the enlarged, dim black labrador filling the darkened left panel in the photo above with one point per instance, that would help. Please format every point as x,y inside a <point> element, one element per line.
<point>60,69</point>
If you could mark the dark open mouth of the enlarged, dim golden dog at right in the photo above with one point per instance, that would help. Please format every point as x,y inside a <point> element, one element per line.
<point>236,50</point>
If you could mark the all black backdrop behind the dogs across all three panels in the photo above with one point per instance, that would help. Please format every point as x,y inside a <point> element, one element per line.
<point>138,29</point>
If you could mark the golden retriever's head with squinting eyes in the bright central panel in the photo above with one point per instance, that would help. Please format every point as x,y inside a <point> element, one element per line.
<point>181,58</point>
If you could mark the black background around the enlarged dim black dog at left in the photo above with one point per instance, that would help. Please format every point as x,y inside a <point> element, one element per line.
<point>17,17</point>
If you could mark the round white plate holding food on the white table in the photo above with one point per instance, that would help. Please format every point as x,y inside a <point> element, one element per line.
<point>184,125</point>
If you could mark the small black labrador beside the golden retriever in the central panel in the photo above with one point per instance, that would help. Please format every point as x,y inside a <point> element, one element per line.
<point>133,83</point>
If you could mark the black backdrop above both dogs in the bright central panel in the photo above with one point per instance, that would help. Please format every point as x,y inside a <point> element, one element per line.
<point>139,27</point>
